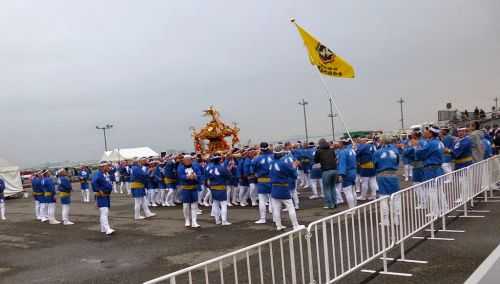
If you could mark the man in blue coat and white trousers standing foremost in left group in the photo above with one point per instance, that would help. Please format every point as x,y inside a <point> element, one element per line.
<point>103,190</point>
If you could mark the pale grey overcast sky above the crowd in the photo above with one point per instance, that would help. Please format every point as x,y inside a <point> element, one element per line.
<point>151,67</point>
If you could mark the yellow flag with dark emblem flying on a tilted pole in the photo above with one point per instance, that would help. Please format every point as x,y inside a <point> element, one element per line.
<point>326,61</point>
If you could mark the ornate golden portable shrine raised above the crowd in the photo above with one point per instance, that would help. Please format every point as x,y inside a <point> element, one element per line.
<point>215,132</point>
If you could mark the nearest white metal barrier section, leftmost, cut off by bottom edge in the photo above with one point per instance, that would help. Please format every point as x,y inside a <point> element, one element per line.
<point>280,259</point>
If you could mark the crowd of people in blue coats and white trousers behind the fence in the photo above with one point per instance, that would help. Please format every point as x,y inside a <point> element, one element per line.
<point>266,176</point>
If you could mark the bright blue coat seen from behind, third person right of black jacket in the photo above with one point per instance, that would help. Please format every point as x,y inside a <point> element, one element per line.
<point>386,161</point>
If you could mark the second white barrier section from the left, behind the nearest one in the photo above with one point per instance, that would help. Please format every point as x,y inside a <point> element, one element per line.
<point>339,244</point>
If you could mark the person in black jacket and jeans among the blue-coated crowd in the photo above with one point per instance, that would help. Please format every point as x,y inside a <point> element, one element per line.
<point>326,157</point>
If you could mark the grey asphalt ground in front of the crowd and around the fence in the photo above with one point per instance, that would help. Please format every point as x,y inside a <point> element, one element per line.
<point>32,252</point>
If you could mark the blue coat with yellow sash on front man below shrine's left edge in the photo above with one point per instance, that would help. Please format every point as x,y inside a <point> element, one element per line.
<point>189,187</point>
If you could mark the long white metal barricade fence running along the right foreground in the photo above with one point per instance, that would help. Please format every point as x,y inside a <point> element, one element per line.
<point>333,247</point>
